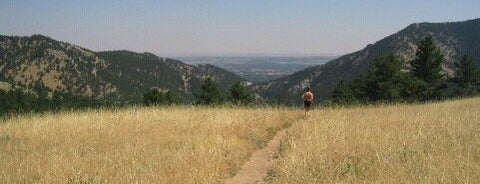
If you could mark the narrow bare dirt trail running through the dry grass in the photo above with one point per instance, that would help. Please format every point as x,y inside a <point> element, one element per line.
<point>256,168</point>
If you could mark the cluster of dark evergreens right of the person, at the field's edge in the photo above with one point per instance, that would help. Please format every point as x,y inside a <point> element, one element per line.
<point>390,79</point>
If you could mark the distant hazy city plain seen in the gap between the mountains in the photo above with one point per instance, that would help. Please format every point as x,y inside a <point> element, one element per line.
<point>257,69</point>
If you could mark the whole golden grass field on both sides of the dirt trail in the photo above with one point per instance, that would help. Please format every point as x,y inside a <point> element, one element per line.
<point>430,143</point>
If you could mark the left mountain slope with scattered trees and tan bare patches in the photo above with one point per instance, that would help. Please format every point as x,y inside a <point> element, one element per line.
<point>45,66</point>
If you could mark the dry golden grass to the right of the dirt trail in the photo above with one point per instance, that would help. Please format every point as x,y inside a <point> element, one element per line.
<point>432,143</point>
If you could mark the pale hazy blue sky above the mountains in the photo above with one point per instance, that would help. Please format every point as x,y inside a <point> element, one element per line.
<point>225,27</point>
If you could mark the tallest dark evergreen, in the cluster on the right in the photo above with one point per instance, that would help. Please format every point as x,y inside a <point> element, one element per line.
<point>427,67</point>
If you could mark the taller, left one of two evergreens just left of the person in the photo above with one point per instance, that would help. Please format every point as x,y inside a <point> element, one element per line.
<point>209,95</point>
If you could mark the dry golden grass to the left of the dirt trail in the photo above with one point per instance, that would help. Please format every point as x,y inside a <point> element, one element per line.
<point>138,145</point>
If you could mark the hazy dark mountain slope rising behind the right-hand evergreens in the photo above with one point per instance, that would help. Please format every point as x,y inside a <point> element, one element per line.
<point>454,39</point>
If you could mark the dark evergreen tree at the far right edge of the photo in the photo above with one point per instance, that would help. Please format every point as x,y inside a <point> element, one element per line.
<point>467,76</point>
